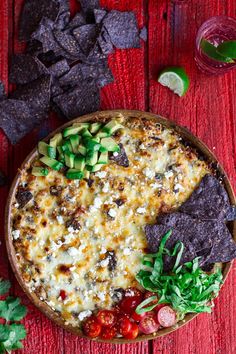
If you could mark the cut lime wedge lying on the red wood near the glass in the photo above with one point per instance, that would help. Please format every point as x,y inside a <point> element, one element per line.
<point>176,79</point>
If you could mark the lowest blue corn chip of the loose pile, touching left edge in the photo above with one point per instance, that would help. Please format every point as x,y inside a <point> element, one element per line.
<point>17,118</point>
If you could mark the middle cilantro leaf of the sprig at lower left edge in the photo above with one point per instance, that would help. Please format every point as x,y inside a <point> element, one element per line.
<point>12,310</point>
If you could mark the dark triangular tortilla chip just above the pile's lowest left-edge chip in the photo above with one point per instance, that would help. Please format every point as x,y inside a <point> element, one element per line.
<point>37,93</point>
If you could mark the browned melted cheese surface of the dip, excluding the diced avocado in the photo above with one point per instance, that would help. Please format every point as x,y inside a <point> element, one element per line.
<point>55,256</point>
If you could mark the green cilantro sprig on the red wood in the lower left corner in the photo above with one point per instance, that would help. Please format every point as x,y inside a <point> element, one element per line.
<point>11,311</point>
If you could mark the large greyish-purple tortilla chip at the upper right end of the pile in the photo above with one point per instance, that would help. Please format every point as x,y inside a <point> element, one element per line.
<point>122,28</point>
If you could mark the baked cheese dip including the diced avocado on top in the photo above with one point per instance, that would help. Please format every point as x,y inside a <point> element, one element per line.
<point>81,207</point>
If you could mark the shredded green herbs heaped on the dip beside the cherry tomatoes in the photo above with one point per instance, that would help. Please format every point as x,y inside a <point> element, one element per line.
<point>187,287</point>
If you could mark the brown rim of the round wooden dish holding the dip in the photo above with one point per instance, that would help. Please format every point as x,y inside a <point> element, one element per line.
<point>193,141</point>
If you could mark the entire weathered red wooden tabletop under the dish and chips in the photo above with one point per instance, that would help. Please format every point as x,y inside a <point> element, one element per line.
<point>208,110</point>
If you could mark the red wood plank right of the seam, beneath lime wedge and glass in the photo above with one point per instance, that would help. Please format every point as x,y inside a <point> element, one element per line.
<point>208,110</point>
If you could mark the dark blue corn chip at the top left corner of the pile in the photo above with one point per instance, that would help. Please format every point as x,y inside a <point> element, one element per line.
<point>32,13</point>
